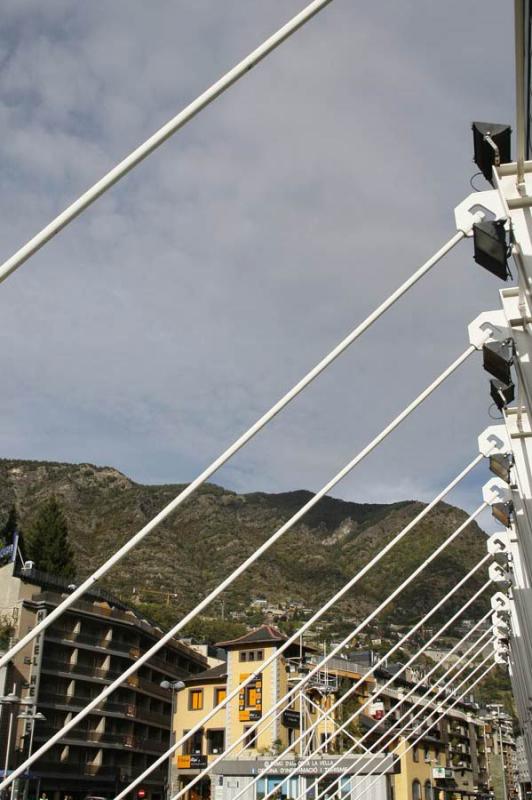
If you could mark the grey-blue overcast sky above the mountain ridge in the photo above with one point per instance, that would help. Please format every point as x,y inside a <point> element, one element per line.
<point>166,319</point>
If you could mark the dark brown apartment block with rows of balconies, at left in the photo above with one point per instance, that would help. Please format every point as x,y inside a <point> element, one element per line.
<point>89,646</point>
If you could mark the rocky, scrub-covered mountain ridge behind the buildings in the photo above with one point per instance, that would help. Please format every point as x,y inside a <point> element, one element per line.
<point>217,529</point>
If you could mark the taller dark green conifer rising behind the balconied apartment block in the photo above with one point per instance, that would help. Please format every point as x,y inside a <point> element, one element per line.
<point>47,541</point>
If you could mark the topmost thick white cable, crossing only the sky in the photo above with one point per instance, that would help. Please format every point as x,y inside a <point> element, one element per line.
<point>158,138</point>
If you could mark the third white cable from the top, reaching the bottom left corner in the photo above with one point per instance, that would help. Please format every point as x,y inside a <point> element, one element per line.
<point>227,582</point>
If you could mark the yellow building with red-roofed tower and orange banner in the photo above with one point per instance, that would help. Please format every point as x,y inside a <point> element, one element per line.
<point>278,732</point>
